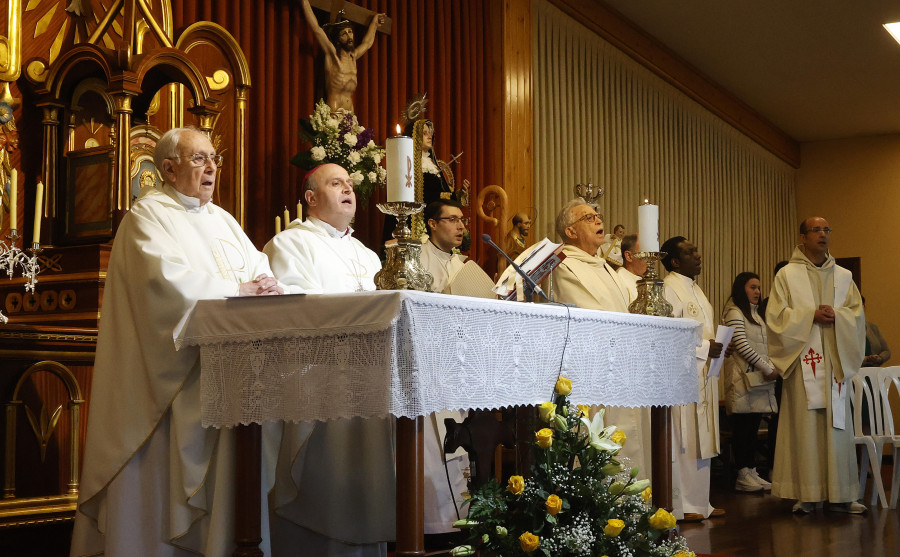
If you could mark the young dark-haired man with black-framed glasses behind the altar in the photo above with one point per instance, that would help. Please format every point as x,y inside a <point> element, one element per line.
<point>445,225</point>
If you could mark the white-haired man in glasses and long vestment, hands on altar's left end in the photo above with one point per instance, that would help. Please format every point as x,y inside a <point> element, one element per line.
<point>155,482</point>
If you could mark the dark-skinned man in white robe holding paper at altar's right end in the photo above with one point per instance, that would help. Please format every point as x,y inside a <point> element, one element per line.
<point>695,426</point>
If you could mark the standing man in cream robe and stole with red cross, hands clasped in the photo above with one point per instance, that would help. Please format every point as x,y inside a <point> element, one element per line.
<point>817,336</point>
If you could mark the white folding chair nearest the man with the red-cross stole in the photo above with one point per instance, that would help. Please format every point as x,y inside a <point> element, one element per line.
<point>873,442</point>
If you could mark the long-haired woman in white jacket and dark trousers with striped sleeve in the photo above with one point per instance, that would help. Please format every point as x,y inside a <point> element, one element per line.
<point>749,378</point>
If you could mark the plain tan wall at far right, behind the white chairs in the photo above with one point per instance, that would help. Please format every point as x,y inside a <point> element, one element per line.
<point>853,184</point>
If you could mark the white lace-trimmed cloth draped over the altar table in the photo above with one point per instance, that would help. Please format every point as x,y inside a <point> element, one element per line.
<point>407,353</point>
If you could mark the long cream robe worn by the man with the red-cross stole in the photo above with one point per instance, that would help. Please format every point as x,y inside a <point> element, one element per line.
<point>814,460</point>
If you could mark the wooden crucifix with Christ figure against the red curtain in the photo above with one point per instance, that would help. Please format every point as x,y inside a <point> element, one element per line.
<point>339,45</point>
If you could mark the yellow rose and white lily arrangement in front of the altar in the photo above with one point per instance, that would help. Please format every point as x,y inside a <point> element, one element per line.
<point>579,500</point>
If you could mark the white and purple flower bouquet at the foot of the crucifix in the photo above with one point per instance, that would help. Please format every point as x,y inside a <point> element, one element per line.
<point>337,137</point>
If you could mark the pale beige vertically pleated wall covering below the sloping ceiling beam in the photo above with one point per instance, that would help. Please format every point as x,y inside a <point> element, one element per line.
<point>604,118</point>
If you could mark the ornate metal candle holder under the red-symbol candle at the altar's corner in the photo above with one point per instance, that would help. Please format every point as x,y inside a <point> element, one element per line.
<point>402,269</point>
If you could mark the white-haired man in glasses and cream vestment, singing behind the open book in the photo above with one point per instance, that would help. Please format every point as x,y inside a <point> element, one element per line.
<point>586,280</point>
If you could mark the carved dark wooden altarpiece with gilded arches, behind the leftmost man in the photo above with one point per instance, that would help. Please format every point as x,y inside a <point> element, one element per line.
<point>104,79</point>
